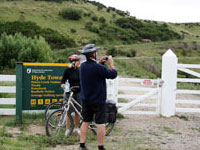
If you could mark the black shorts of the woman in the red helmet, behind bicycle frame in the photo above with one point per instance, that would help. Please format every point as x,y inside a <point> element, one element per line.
<point>76,96</point>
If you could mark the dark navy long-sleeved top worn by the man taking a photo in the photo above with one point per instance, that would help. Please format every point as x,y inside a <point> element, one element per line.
<point>93,83</point>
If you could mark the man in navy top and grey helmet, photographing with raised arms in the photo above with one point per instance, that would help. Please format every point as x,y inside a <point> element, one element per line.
<point>93,77</point>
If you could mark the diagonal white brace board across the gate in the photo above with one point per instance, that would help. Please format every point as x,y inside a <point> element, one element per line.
<point>139,99</point>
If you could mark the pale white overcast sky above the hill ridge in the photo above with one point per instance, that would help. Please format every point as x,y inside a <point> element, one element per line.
<point>176,11</point>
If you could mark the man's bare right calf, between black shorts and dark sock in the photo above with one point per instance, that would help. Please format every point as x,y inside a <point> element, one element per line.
<point>100,134</point>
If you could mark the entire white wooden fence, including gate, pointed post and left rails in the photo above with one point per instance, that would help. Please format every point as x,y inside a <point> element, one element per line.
<point>140,96</point>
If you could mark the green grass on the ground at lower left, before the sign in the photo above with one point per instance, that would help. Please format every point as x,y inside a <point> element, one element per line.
<point>22,141</point>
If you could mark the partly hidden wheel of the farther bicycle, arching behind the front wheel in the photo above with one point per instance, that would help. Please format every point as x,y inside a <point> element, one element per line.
<point>52,107</point>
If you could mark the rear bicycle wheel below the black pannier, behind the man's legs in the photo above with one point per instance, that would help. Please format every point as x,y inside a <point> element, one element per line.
<point>108,128</point>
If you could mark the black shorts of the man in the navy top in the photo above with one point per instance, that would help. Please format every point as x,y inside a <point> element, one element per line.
<point>96,112</point>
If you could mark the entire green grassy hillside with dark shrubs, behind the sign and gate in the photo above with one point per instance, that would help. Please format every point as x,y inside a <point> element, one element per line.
<point>139,43</point>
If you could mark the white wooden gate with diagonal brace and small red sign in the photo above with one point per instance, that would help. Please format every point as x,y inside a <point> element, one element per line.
<point>139,96</point>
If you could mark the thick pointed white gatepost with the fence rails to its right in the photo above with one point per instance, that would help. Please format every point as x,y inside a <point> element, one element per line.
<point>171,103</point>
